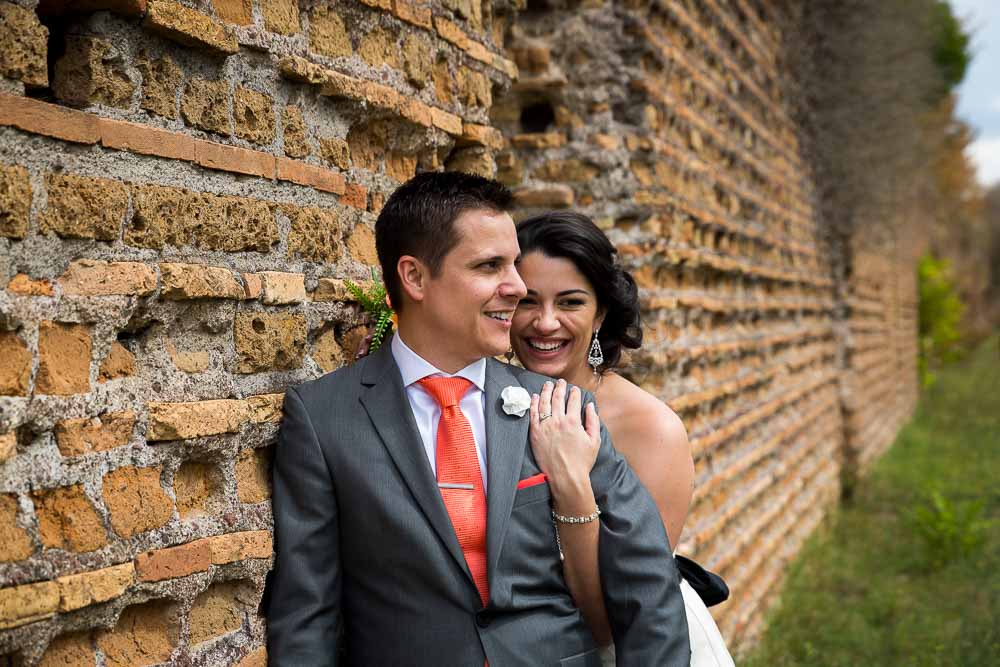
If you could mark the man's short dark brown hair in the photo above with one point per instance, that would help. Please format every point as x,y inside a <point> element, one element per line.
<point>419,220</point>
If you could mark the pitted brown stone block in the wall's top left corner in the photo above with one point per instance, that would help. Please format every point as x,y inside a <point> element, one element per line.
<point>25,40</point>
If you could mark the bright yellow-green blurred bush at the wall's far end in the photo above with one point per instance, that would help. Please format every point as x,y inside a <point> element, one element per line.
<point>940,314</point>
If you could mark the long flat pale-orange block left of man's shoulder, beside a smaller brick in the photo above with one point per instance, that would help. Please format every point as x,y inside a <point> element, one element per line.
<point>195,419</point>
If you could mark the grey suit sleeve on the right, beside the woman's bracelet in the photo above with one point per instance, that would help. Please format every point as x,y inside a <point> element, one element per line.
<point>638,575</point>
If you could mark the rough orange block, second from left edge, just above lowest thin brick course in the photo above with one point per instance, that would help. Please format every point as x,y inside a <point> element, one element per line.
<point>68,520</point>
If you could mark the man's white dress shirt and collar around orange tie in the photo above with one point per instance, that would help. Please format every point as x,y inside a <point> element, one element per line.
<point>426,410</point>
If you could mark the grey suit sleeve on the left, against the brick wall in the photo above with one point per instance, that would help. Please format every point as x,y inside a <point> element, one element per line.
<point>304,615</point>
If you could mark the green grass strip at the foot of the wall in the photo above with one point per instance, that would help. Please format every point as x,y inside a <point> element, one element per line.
<point>908,571</point>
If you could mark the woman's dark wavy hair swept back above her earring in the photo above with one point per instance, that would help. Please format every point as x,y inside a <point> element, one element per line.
<point>575,237</point>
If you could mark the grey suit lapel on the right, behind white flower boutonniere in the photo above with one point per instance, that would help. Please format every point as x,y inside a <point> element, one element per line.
<point>506,439</point>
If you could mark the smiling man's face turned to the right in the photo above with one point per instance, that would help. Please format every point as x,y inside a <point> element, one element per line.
<point>471,301</point>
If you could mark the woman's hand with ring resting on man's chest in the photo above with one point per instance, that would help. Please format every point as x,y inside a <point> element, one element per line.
<point>564,448</point>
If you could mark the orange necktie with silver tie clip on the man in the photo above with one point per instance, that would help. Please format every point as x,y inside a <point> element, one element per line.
<point>459,477</point>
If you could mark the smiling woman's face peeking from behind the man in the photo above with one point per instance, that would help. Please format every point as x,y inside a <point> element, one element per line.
<point>553,324</point>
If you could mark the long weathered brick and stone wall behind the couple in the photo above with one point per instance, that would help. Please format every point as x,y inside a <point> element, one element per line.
<point>184,186</point>
